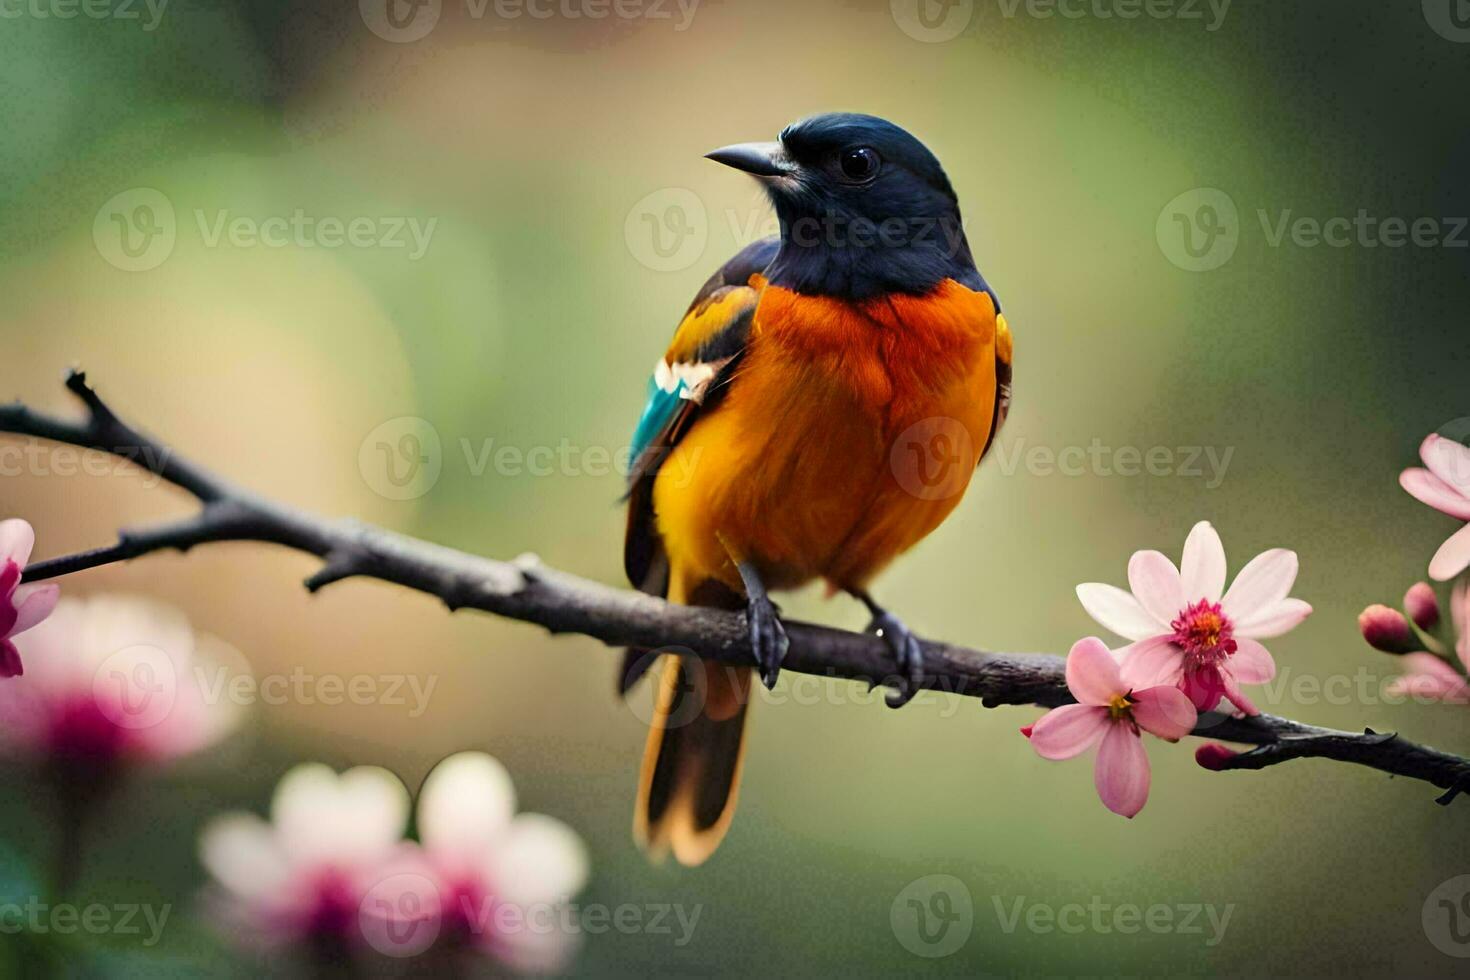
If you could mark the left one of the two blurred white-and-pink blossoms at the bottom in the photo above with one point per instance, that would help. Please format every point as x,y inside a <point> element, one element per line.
<point>306,873</point>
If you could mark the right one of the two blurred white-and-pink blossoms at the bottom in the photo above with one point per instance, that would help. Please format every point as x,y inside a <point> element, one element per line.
<point>502,875</point>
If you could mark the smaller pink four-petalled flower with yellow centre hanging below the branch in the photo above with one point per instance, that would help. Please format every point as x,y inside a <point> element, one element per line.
<point>1111,713</point>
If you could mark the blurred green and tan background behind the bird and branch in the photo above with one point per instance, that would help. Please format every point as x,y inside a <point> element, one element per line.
<point>537,146</point>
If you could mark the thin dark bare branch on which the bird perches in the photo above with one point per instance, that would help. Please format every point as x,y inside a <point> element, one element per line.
<point>528,591</point>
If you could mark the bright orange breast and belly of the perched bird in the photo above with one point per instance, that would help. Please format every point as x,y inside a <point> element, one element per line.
<point>847,436</point>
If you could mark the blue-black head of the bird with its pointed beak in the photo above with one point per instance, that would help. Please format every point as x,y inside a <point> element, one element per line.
<point>865,209</point>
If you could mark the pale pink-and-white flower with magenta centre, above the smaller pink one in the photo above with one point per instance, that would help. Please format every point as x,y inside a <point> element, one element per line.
<point>1186,634</point>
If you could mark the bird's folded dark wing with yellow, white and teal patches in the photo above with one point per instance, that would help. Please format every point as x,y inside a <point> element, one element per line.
<point>705,352</point>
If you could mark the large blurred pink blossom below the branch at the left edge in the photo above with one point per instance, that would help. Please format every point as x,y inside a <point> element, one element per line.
<point>118,680</point>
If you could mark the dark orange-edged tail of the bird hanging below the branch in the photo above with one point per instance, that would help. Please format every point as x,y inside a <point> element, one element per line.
<point>696,747</point>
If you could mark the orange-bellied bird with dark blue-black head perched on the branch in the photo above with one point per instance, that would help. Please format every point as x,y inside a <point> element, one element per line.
<point>821,409</point>
